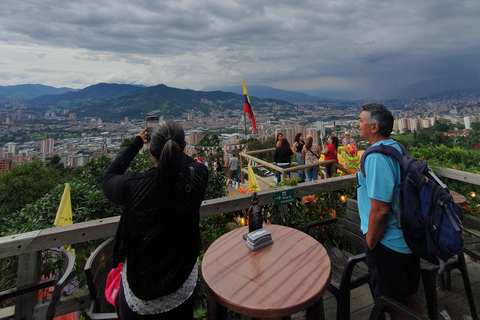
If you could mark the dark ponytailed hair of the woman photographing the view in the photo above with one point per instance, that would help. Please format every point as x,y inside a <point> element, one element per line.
<point>167,144</point>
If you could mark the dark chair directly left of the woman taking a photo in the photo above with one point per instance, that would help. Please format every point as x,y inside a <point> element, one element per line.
<point>96,271</point>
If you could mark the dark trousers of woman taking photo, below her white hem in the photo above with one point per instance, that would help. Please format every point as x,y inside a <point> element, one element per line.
<point>182,312</point>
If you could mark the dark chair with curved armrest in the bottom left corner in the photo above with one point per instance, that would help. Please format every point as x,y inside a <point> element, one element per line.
<point>58,281</point>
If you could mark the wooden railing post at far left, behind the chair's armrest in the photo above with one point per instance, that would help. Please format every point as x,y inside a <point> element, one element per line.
<point>27,274</point>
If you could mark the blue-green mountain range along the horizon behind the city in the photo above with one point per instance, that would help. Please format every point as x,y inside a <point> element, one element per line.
<point>117,101</point>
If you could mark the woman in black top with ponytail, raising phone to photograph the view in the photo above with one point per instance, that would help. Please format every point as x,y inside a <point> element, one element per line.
<point>158,238</point>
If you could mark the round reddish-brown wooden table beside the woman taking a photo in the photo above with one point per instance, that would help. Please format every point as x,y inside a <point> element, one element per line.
<point>284,278</point>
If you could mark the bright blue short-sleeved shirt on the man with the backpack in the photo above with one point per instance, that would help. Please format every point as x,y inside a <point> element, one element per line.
<point>383,178</point>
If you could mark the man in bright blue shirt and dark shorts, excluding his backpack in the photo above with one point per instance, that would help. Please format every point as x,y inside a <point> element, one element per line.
<point>394,270</point>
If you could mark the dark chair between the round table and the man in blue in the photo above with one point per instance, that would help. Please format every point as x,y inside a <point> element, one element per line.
<point>348,271</point>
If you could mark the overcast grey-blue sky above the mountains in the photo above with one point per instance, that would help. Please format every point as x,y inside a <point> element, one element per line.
<point>354,48</point>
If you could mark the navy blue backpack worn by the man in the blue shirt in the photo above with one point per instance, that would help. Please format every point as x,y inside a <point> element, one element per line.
<point>430,219</point>
